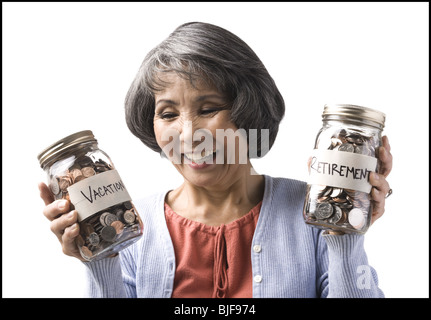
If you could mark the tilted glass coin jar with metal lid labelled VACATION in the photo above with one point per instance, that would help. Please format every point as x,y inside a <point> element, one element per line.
<point>79,171</point>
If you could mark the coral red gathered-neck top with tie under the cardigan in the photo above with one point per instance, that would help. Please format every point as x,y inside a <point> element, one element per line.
<point>212,261</point>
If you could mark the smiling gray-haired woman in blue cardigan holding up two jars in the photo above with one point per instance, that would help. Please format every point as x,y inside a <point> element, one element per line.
<point>226,231</point>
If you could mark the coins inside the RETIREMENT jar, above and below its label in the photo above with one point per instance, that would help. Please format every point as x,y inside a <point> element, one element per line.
<point>337,208</point>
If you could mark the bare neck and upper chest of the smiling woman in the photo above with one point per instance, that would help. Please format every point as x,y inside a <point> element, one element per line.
<point>218,204</point>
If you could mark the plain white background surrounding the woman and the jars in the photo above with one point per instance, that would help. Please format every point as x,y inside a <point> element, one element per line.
<point>67,67</point>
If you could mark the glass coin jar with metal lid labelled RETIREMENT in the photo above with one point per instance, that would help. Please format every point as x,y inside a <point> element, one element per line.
<point>345,152</point>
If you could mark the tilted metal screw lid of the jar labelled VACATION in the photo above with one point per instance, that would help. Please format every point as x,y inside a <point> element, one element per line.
<point>62,145</point>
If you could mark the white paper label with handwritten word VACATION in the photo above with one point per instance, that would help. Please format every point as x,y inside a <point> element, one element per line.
<point>97,192</point>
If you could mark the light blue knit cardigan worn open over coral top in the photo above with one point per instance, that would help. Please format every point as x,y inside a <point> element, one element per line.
<point>294,260</point>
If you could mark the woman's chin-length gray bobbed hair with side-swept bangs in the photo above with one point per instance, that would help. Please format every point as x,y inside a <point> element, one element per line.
<point>207,52</point>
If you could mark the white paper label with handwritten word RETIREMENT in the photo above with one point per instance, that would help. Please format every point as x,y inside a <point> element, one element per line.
<point>341,169</point>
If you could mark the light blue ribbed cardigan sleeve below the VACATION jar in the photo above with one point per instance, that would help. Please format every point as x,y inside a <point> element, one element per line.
<point>111,277</point>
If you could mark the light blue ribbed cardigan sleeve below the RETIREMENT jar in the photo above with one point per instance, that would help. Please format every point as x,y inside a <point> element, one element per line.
<point>343,268</point>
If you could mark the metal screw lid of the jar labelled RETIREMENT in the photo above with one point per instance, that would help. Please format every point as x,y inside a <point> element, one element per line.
<point>355,113</point>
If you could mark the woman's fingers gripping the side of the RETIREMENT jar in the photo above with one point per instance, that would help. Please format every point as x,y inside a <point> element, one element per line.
<point>378,180</point>
